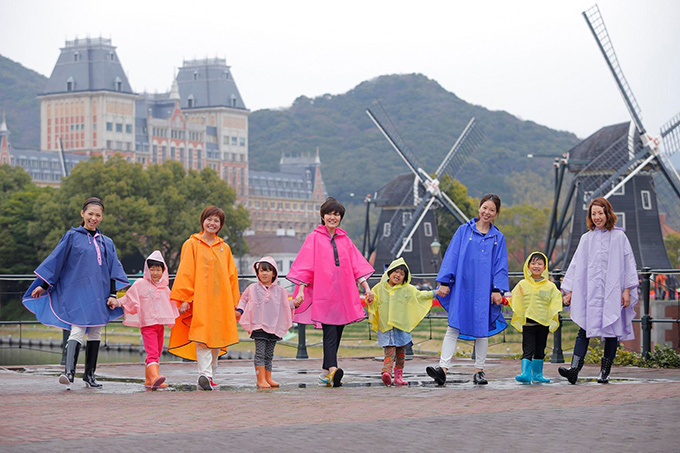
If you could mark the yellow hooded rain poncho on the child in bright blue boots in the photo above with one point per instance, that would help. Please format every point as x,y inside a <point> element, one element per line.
<point>540,301</point>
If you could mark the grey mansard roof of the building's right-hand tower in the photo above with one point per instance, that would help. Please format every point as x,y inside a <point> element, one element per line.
<point>208,83</point>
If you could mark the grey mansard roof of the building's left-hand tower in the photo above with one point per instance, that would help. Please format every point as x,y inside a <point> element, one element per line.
<point>88,64</point>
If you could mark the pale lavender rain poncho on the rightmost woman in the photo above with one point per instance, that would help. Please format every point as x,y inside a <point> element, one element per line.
<point>603,266</point>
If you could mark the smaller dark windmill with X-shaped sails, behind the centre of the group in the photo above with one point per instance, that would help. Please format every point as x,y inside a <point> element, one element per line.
<point>407,225</point>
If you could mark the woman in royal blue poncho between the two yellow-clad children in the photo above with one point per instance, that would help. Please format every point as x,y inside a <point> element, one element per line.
<point>473,276</point>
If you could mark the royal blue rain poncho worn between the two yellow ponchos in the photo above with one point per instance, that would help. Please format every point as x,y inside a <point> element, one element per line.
<point>473,266</point>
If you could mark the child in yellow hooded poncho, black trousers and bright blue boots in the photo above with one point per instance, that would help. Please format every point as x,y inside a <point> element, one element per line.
<point>536,303</point>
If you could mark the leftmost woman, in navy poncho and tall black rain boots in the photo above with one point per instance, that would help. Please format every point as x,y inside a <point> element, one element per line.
<point>73,287</point>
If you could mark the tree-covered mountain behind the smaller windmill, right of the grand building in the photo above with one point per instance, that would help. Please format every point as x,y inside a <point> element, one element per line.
<point>357,159</point>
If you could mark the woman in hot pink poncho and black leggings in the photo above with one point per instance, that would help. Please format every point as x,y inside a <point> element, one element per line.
<point>327,270</point>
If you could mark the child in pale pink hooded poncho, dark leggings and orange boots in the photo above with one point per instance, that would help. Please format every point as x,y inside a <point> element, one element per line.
<point>266,312</point>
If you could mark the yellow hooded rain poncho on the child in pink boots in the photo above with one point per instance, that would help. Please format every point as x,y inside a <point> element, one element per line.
<point>401,306</point>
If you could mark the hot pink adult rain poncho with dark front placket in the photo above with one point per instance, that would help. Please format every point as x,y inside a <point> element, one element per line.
<point>330,267</point>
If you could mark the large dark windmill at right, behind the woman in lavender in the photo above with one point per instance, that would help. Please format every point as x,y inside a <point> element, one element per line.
<point>625,164</point>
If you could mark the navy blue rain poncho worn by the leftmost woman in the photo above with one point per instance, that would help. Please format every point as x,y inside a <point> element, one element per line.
<point>79,273</point>
